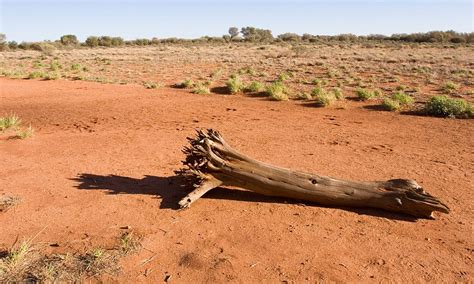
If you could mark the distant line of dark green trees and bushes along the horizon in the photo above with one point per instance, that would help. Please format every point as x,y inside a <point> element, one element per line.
<point>245,34</point>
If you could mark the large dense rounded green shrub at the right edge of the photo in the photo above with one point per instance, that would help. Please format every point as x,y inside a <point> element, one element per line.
<point>444,106</point>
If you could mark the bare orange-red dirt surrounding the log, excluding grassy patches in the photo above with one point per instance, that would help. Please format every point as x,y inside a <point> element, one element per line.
<point>102,157</point>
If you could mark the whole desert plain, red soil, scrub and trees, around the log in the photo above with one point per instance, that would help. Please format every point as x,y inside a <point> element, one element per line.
<point>104,152</point>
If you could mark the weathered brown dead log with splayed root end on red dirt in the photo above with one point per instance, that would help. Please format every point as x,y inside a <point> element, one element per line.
<point>210,162</point>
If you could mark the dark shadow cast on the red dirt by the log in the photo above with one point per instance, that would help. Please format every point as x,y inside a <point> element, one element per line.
<point>171,189</point>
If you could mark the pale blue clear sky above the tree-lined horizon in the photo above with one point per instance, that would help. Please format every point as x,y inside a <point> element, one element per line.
<point>36,20</point>
